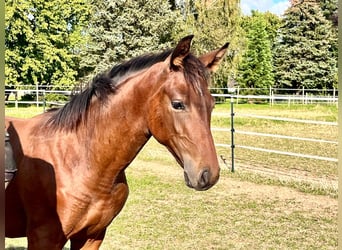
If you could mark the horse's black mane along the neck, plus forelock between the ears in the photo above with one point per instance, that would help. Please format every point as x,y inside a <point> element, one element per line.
<point>105,84</point>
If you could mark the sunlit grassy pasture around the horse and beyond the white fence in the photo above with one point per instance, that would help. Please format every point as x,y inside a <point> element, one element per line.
<point>270,202</point>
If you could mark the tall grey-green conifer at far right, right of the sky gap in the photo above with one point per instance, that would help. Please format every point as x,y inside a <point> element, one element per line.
<point>304,53</point>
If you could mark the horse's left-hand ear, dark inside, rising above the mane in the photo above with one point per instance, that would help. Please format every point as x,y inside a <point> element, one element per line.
<point>180,52</point>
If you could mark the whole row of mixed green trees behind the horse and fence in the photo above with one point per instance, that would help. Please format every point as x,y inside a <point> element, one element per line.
<point>60,42</point>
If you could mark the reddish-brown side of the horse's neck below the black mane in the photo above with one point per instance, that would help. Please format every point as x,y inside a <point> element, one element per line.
<point>121,130</point>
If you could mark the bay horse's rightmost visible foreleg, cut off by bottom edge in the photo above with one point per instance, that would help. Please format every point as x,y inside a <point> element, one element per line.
<point>87,243</point>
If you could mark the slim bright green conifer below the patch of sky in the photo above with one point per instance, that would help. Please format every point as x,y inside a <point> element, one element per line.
<point>256,68</point>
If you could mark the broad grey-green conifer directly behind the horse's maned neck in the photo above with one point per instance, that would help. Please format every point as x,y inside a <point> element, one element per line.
<point>119,30</point>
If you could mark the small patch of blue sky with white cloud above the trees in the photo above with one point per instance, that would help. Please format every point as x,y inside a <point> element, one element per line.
<point>275,6</point>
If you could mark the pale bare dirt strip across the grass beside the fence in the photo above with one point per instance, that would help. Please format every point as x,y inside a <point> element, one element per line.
<point>236,187</point>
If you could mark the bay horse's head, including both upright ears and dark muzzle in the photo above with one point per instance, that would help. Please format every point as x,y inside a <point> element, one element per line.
<point>180,113</point>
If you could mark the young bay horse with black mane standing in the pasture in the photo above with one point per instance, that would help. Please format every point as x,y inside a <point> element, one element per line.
<point>71,162</point>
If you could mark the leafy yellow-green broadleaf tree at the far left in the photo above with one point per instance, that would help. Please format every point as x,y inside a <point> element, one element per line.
<point>42,41</point>
